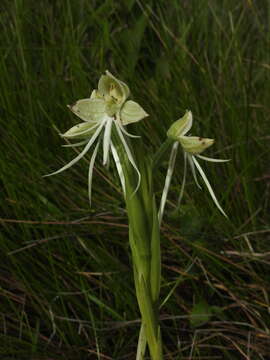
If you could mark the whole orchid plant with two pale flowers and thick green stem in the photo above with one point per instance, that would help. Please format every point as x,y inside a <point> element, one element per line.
<point>105,115</point>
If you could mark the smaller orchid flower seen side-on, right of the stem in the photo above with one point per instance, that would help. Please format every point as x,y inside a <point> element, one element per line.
<point>192,147</point>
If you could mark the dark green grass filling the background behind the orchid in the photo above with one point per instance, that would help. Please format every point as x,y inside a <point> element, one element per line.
<point>66,286</point>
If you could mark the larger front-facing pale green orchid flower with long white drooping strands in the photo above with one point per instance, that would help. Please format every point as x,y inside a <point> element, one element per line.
<point>106,108</point>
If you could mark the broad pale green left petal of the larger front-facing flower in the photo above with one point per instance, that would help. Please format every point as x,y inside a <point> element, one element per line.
<point>89,109</point>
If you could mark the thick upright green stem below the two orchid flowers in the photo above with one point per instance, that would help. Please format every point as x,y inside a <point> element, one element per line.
<point>144,238</point>
